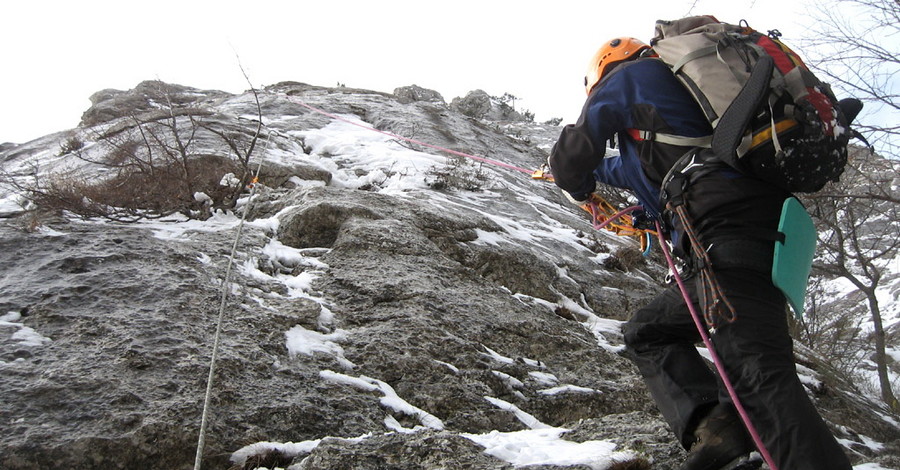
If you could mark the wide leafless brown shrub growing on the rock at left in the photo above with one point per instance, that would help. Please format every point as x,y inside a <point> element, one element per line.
<point>150,166</point>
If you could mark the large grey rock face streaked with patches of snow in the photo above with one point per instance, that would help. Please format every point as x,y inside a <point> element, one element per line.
<point>370,321</point>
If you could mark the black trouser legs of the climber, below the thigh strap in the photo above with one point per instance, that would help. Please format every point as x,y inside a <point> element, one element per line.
<point>757,353</point>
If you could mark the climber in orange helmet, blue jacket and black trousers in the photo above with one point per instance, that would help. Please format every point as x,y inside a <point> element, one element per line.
<point>629,91</point>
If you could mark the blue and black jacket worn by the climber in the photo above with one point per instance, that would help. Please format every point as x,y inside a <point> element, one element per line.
<point>642,94</point>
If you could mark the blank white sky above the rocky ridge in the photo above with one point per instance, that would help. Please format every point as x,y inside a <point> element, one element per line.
<point>55,54</point>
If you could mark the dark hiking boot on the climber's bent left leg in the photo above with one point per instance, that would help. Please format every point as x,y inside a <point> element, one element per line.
<point>721,443</point>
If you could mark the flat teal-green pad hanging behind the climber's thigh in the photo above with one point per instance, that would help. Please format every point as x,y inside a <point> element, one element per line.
<point>793,256</point>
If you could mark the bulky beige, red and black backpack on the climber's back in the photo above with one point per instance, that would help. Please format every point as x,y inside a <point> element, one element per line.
<point>772,118</point>
